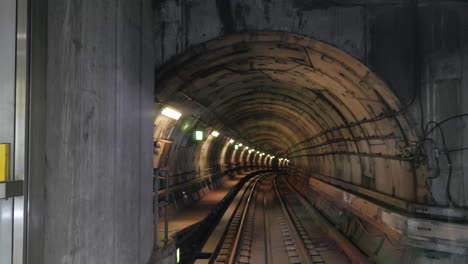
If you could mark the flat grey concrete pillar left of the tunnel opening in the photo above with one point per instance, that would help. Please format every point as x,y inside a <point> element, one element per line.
<point>93,201</point>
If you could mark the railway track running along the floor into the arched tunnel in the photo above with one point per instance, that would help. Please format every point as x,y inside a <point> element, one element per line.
<point>269,225</point>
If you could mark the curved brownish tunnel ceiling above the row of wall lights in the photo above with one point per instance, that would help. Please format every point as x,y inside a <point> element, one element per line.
<point>291,95</point>
